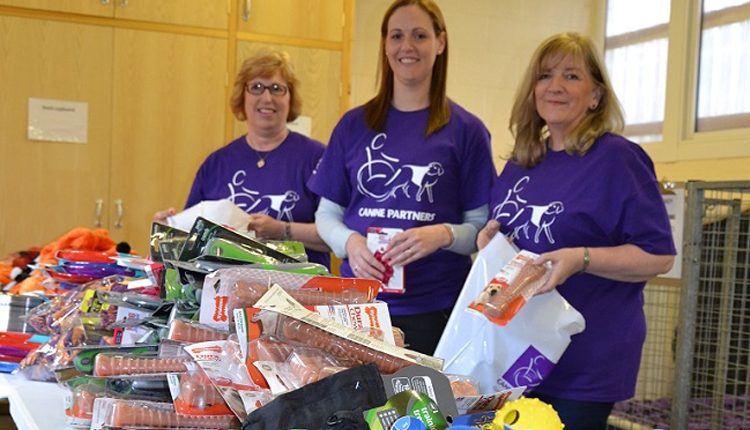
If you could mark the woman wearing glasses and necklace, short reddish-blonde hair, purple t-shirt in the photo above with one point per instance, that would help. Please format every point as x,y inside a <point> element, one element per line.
<point>265,171</point>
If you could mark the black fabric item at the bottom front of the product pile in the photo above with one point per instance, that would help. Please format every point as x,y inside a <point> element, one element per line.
<point>333,403</point>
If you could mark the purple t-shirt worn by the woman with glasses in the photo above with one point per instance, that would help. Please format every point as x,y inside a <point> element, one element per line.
<point>278,189</point>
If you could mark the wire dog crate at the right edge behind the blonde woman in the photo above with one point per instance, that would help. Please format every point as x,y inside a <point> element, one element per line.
<point>695,370</point>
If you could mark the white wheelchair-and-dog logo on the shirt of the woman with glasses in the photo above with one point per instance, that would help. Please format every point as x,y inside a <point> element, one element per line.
<point>279,206</point>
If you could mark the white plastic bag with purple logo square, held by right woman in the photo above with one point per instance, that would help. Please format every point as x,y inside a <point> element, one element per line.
<point>520,354</point>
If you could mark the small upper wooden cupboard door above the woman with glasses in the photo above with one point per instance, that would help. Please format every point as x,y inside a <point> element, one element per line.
<point>305,19</point>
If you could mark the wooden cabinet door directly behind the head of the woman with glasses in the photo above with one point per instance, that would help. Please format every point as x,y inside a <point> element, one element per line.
<point>319,73</point>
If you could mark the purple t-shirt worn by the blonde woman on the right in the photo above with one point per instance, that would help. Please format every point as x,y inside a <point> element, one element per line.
<point>608,197</point>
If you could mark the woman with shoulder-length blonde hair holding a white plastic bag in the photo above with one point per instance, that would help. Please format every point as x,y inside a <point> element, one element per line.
<point>587,200</point>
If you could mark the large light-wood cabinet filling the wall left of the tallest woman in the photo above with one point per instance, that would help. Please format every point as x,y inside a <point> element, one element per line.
<point>156,77</point>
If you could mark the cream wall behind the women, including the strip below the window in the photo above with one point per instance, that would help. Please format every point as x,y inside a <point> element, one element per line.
<point>490,44</point>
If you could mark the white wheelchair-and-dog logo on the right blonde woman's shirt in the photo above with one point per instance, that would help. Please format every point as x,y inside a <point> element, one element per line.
<point>526,219</point>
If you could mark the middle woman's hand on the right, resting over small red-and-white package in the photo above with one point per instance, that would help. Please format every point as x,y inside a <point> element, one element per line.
<point>410,245</point>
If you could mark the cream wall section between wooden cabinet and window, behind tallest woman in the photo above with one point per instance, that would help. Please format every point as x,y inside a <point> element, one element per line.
<point>490,44</point>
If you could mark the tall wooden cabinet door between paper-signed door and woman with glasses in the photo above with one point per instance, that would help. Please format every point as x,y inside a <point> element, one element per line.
<point>169,104</point>
